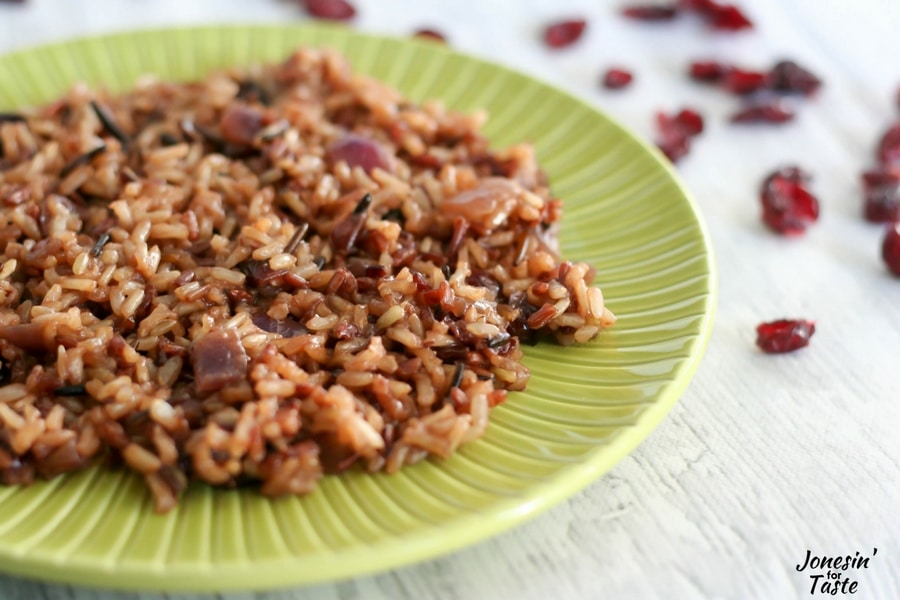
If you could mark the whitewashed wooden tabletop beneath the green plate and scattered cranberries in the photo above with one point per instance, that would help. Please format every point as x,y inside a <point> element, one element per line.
<point>765,457</point>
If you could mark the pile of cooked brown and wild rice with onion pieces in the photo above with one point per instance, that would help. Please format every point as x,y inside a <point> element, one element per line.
<point>275,273</point>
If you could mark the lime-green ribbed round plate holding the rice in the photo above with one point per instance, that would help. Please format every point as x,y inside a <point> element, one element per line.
<point>585,408</point>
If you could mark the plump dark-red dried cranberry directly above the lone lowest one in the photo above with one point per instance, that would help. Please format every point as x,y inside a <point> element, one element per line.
<point>788,206</point>
